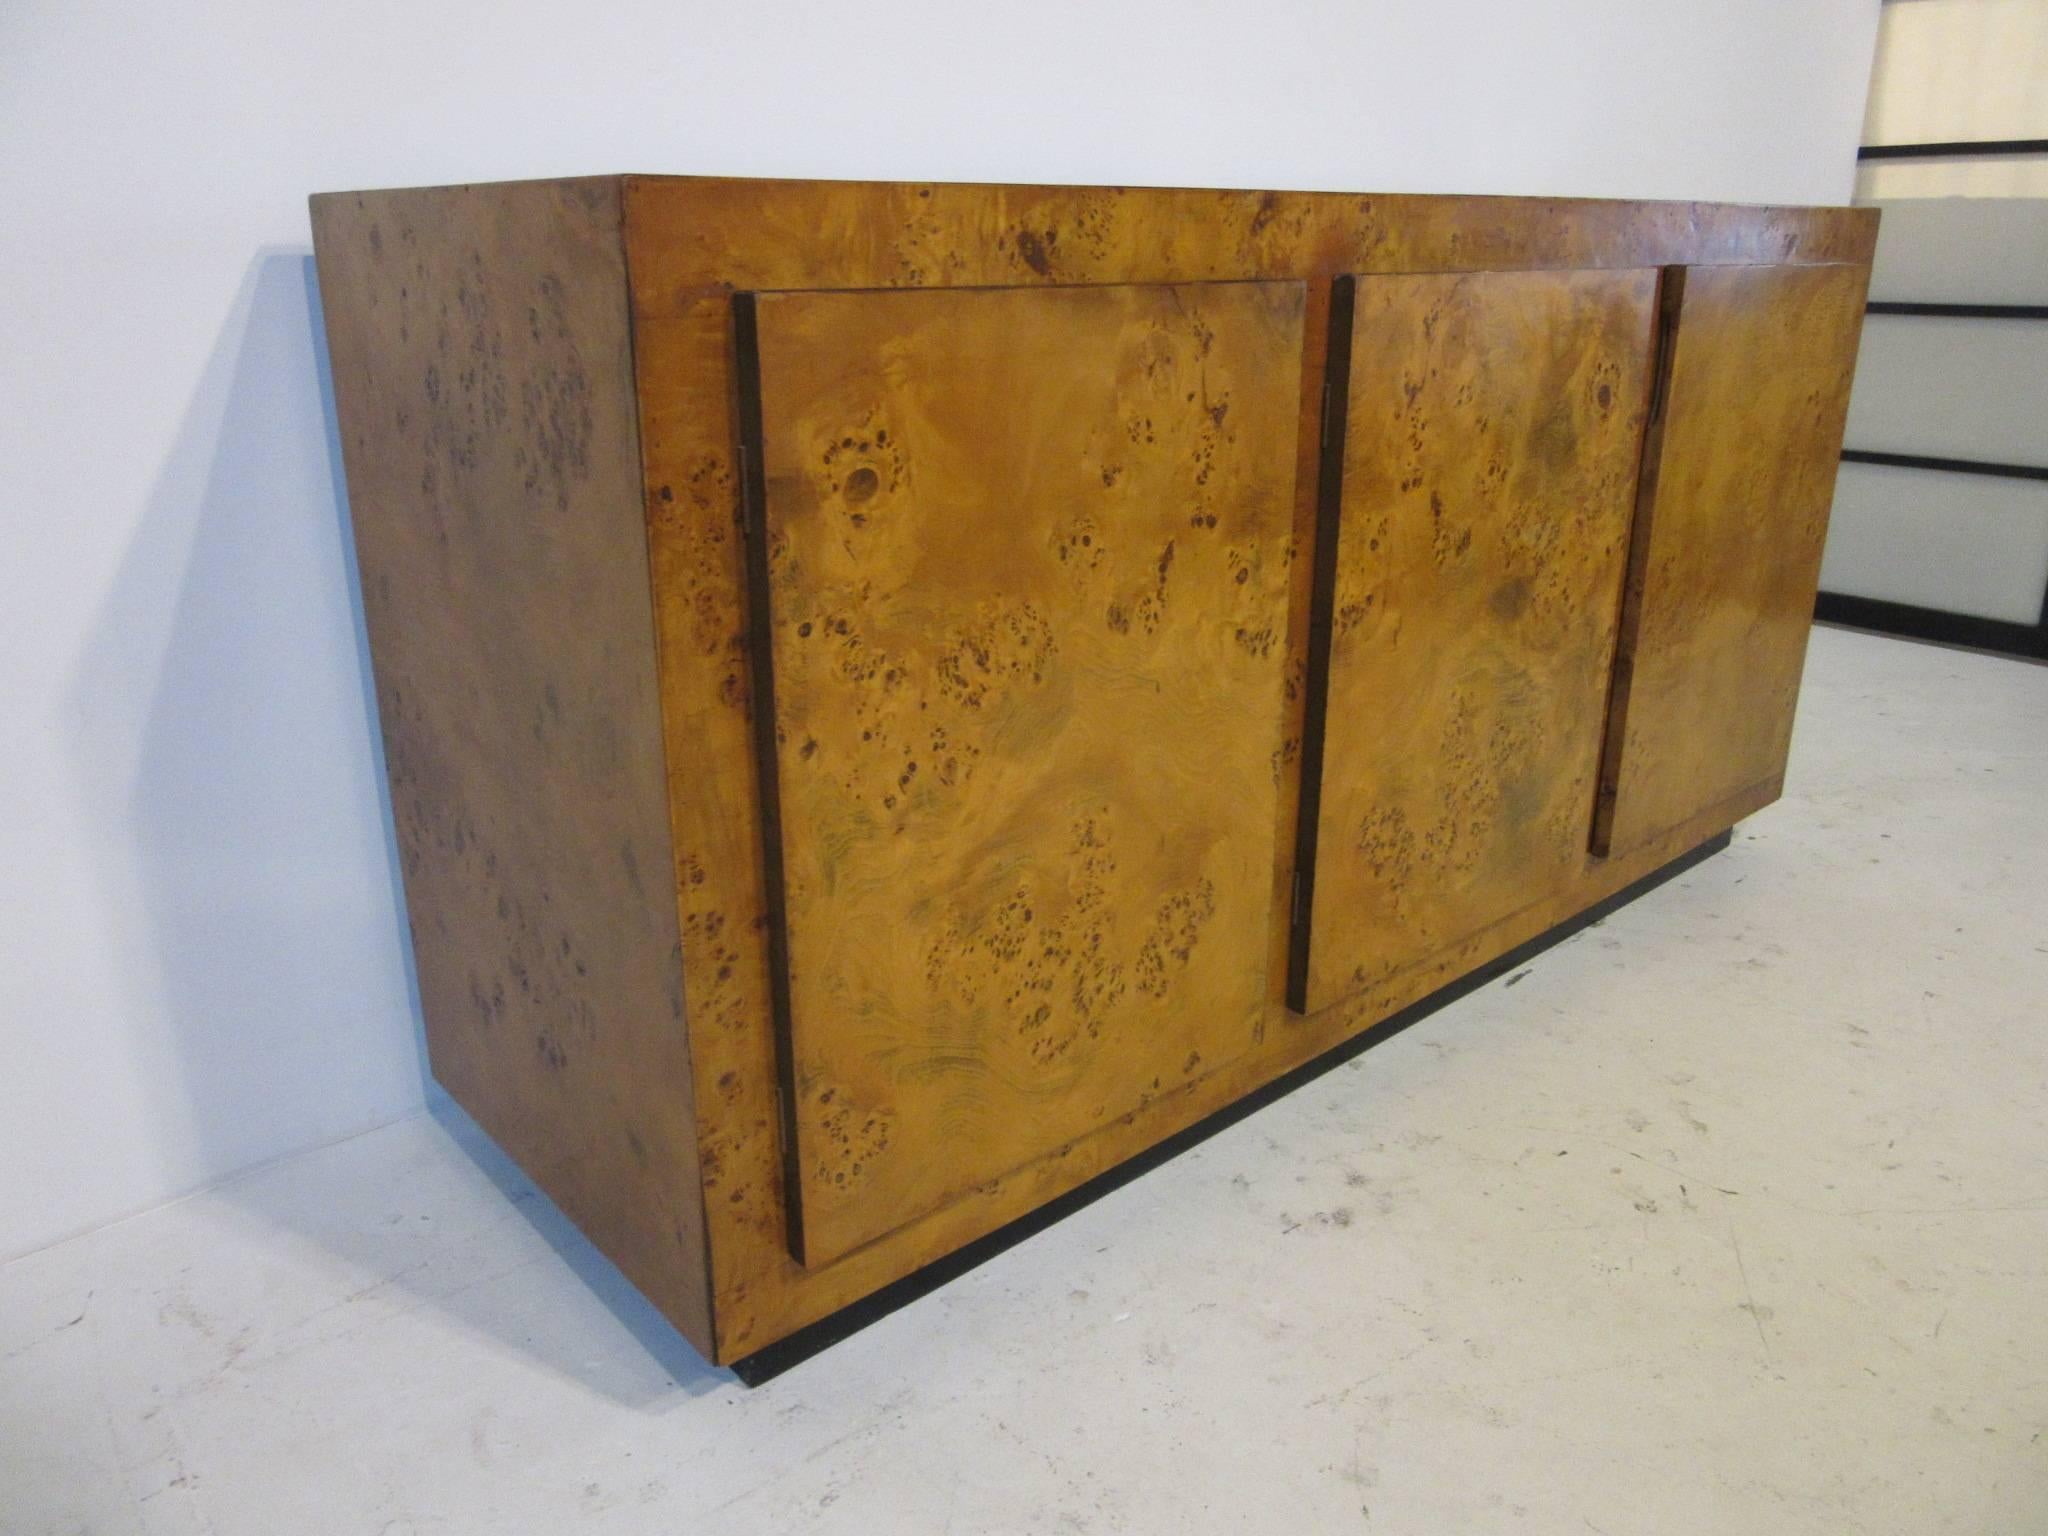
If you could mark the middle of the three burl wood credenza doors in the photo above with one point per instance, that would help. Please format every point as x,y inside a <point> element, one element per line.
<point>1469,599</point>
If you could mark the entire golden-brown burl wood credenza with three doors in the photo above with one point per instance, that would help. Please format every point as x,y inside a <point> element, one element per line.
<point>902,699</point>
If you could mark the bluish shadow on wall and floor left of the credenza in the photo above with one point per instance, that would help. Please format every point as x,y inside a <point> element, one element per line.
<point>226,706</point>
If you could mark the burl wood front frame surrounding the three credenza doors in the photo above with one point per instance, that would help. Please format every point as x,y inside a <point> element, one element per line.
<point>691,243</point>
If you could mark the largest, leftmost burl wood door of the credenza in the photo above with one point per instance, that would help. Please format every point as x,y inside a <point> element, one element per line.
<point>1021,593</point>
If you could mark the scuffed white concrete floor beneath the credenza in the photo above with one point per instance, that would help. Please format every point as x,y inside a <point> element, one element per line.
<point>1732,1215</point>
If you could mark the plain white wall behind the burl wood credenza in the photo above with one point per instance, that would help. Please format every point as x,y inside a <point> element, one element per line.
<point>202,953</point>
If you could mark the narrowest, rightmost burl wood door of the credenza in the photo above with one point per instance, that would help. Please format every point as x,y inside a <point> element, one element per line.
<point>1727,548</point>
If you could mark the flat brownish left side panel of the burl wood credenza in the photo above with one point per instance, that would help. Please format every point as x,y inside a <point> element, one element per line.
<point>484,386</point>
